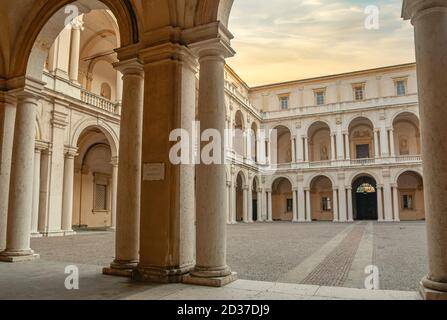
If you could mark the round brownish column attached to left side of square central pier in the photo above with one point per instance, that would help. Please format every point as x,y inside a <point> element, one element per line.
<point>128,192</point>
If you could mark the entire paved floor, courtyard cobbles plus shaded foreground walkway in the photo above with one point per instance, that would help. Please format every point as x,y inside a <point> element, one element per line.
<point>281,260</point>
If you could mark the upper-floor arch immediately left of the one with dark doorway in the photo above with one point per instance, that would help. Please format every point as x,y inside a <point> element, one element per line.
<point>320,147</point>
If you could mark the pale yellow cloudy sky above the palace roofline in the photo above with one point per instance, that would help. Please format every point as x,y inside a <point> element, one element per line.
<point>281,40</point>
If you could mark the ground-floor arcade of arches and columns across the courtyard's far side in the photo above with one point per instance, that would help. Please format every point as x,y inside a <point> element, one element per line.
<point>384,194</point>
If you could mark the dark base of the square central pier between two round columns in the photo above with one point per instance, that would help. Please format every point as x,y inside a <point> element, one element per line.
<point>160,275</point>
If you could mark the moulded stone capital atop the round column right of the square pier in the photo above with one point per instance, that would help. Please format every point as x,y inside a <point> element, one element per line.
<point>211,40</point>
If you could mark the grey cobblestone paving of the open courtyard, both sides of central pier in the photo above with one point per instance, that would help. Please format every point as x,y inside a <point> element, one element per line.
<point>266,252</point>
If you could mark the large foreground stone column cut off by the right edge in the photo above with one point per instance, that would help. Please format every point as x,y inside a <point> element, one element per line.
<point>429,18</point>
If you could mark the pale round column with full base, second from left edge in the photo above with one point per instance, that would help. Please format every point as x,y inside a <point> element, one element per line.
<point>21,187</point>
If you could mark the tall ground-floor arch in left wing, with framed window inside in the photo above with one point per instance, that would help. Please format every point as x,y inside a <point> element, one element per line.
<point>93,181</point>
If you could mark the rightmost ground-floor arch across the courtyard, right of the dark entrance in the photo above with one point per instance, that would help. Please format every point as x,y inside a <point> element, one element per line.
<point>411,196</point>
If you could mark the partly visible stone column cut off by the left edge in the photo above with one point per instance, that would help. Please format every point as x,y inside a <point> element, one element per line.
<point>7,119</point>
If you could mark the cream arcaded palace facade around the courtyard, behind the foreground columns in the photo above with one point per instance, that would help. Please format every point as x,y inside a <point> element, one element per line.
<point>348,146</point>
